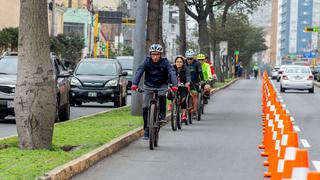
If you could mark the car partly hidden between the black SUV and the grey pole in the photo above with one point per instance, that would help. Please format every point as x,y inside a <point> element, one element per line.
<point>127,66</point>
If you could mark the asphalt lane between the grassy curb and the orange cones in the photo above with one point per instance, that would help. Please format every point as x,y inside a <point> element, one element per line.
<point>221,147</point>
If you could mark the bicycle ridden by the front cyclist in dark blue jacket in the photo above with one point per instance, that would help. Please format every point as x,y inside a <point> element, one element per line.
<point>153,117</point>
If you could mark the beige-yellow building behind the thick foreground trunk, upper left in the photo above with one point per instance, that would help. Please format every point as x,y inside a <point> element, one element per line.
<point>10,14</point>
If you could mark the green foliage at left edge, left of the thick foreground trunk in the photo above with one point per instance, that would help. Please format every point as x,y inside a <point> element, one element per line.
<point>9,39</point>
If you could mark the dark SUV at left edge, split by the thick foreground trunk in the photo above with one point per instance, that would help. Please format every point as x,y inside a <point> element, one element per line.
<point>8,77</point>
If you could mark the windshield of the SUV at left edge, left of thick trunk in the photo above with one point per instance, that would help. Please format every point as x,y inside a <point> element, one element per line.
<point>8,65</point>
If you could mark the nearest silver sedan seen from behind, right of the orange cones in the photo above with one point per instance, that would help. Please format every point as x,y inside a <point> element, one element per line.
<point>297,77</point>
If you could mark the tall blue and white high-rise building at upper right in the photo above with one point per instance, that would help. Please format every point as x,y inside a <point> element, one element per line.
<point>295,16</point>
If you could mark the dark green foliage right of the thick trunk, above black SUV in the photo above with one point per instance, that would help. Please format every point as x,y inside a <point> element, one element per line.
<point>68,47</point>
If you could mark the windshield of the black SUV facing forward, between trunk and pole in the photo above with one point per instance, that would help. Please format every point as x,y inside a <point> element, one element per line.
<point>97,68</point>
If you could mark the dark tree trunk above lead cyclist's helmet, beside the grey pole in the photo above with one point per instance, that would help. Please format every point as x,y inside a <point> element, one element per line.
<point>153,25</point>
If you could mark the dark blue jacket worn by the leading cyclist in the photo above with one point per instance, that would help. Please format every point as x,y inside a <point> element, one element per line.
<point>156,74</point>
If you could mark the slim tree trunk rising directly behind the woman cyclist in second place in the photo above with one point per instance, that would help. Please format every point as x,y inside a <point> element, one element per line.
<point>182,26</point>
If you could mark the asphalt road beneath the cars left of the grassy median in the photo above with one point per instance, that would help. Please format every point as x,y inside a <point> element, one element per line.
<point>8,126</point>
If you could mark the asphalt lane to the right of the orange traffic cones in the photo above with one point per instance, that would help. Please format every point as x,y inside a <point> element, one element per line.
<point>304,108</point>
